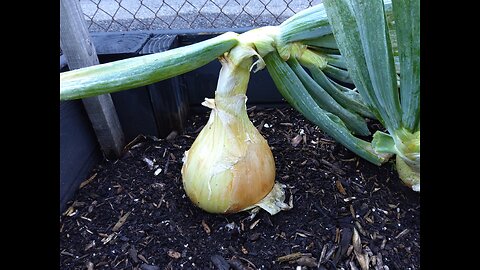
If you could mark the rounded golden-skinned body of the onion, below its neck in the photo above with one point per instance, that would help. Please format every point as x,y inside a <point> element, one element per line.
<point>229,166</point>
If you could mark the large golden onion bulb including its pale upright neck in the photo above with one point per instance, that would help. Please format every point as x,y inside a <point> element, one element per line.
<point>229,167</point>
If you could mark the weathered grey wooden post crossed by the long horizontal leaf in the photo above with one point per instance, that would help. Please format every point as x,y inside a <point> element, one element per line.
<point>77,47</point>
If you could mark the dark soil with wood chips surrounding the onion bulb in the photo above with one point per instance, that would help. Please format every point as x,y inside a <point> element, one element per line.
<point>347,213</point>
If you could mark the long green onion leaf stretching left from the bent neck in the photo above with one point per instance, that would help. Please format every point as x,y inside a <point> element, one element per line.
<point>138,71</point>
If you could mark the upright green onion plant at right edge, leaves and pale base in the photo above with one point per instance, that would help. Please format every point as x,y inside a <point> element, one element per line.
<point>363,35</point>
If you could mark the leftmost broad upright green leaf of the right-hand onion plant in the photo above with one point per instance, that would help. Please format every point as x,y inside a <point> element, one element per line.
<point>361,43</point>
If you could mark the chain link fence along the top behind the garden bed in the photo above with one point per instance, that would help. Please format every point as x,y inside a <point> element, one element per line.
<point>130,15</point>
